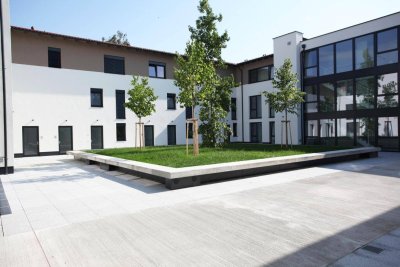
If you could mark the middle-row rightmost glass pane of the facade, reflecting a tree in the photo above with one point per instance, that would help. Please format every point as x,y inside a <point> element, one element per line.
<point>387,91</point>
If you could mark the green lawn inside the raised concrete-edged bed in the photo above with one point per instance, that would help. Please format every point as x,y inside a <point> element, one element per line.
<point>175,156</point>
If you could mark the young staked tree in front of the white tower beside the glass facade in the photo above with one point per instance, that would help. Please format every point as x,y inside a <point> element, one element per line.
<point>288,95</point>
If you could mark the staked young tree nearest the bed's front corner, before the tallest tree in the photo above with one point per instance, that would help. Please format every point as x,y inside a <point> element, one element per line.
<point>192,76</point>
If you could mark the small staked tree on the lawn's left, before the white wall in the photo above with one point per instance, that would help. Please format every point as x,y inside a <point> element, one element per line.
<point>141,102</point>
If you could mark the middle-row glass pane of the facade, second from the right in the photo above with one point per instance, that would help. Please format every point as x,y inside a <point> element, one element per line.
<point>365,92</point>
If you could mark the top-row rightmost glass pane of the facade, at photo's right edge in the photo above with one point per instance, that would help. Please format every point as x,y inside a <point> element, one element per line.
<point>387,47</point>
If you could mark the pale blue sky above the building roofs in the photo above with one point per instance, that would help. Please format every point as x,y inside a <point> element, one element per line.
<point>163,24</point>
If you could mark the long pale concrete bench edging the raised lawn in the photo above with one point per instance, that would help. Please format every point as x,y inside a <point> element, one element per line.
<point>175,178</point>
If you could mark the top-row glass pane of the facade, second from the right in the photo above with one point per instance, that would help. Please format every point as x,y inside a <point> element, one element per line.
<point>364,49</point>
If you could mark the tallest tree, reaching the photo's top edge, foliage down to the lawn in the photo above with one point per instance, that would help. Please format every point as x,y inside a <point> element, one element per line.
<point>215,107</point>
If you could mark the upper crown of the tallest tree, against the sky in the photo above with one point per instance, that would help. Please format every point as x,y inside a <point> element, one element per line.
<point>206,32</point>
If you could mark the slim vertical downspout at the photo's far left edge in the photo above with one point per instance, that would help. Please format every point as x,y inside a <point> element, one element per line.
<point>3,72</point>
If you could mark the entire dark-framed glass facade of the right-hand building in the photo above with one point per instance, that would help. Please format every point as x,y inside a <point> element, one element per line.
<point>352,96</point>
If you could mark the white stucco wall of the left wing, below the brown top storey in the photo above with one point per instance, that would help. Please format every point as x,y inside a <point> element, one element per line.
<point>48,98</point>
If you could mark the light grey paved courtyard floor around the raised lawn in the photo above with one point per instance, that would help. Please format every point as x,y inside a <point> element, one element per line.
<point>56,211</point>
